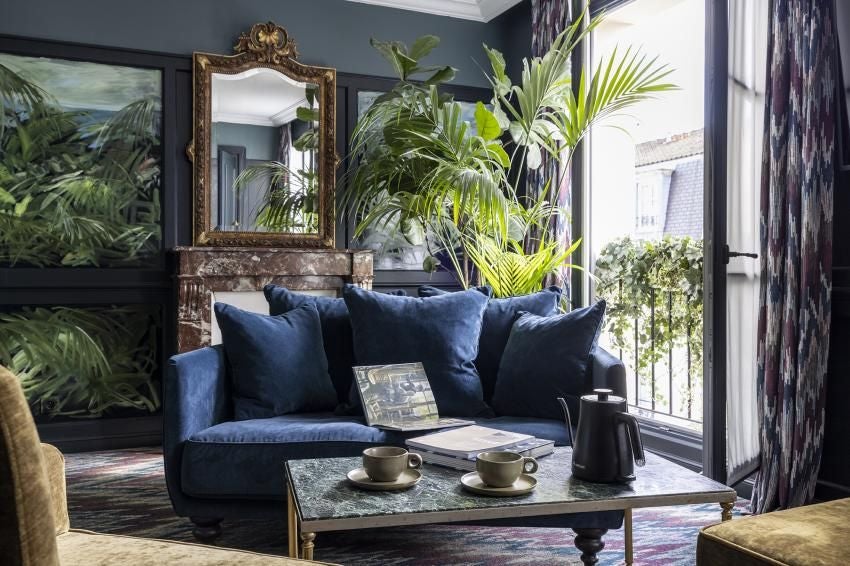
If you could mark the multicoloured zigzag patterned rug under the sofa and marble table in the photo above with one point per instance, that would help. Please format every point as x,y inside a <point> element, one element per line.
<point>123,492</point>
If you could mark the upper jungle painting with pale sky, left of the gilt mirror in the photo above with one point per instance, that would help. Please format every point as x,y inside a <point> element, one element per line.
<point>81,167</point>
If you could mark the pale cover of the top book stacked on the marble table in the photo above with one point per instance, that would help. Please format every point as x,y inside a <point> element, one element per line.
<point>468,441</point>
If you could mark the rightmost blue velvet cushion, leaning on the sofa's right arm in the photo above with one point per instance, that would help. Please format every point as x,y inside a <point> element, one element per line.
<point>546,358</point>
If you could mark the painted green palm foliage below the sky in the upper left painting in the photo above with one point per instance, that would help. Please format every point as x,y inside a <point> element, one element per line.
<point>74,191</point>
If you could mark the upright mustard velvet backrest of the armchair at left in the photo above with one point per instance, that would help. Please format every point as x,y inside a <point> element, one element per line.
<point>27,523</point>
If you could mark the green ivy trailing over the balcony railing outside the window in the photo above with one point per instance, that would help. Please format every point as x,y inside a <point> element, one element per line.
<point>633,276</point>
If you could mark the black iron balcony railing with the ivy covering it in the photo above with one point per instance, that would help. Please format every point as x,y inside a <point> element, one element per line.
<point>654,323</point>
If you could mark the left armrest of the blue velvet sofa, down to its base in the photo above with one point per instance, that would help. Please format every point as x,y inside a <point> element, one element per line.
<point>196,396</point>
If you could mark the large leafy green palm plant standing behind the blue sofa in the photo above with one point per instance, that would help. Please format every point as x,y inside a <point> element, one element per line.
<point>416,161</point>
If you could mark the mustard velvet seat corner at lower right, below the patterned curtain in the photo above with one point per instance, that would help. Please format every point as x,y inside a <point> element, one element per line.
<point>811,535</point>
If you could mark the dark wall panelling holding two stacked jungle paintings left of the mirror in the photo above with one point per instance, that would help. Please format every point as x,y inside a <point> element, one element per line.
<point>93,179</point>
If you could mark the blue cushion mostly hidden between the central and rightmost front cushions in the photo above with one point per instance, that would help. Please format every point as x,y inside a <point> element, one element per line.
<point>499,317</point>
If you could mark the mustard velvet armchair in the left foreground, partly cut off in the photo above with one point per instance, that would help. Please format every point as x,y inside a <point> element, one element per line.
<point>34,525</point>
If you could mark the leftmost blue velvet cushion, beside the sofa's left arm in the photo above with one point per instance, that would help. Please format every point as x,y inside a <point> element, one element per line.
<point>277,363</point>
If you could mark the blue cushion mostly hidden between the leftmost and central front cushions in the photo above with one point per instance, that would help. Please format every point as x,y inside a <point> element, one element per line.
<point>336,330</point>
